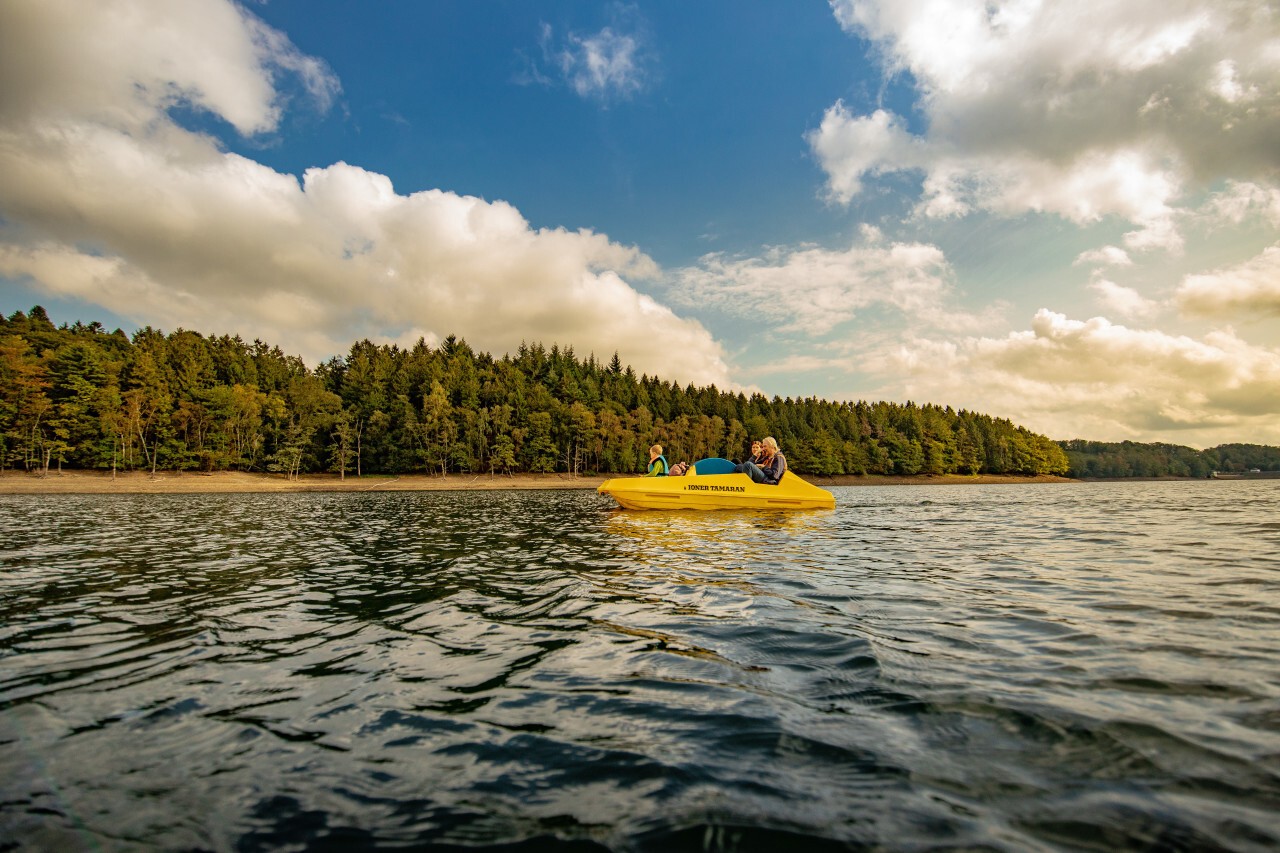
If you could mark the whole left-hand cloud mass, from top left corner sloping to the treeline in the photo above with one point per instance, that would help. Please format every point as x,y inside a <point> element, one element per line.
<point>108,200</point>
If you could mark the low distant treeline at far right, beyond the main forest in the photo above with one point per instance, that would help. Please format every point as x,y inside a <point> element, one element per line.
<point>1131,459</point>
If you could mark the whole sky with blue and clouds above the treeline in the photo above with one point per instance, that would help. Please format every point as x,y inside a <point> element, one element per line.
<point>1063,213</point>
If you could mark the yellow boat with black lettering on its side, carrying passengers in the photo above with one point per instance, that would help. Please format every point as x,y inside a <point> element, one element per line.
<point>716,492</point>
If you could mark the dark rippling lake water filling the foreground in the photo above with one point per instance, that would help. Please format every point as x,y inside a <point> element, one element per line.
<point>979,668</point>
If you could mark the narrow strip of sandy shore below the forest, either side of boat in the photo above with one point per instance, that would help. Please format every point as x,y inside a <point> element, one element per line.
<point>232,482</point>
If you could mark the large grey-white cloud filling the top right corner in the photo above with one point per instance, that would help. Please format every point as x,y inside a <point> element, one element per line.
<point>1082,110</point>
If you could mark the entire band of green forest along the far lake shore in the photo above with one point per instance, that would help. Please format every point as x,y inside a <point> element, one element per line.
<point>83,398</point>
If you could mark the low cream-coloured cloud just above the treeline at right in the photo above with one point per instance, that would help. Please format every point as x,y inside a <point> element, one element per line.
<point>1098,380</point>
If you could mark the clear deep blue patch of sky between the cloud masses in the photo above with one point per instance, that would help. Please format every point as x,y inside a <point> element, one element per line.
<point>698,145</point>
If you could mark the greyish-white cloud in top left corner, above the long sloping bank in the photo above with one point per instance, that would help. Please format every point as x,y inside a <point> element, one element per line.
<point>124,62</point>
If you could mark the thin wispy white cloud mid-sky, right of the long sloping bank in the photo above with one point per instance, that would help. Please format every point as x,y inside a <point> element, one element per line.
<point>811,290</point>
